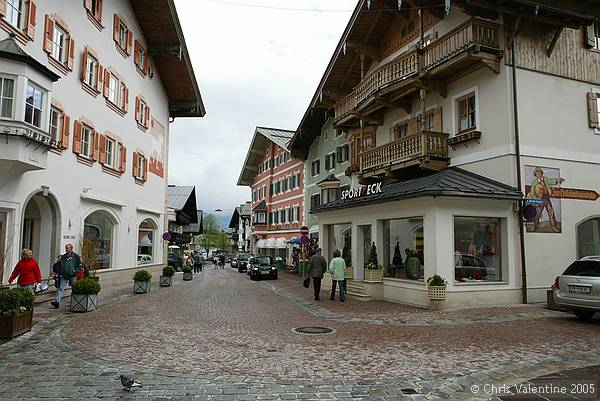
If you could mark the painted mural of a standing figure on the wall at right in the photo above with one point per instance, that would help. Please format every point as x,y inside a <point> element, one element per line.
<point>543,184</point>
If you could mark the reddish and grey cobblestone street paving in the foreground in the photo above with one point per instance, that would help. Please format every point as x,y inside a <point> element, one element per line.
<point>225,337</point>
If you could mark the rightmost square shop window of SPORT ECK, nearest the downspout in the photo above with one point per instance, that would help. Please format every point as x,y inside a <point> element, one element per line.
<point>477,249</point>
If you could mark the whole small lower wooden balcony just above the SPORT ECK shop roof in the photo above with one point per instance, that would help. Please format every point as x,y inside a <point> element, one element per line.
<point>423,150</point>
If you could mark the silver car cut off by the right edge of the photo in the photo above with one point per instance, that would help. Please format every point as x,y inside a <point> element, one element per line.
<point>578,288</point>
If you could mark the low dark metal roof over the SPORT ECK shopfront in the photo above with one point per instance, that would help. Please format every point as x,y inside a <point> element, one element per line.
<point>454,182</point>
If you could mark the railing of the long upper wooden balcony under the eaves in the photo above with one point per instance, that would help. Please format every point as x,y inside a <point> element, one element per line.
<point>471,34</point>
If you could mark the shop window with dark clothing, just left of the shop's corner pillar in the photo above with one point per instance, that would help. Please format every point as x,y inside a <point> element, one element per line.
<point>404,248</point>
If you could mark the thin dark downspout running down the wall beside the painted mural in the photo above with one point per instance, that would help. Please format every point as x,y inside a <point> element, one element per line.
<point>519,179</point>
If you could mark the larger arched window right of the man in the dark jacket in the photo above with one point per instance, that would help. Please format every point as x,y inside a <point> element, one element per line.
<point>98,241</point>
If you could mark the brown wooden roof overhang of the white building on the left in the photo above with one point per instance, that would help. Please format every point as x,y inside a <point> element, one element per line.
<point>166,44</point>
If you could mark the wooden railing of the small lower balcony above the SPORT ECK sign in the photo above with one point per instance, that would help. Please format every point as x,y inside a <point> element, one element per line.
<point>413,148</point>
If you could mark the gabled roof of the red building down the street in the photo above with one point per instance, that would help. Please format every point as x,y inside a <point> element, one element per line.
<point>260,141</point>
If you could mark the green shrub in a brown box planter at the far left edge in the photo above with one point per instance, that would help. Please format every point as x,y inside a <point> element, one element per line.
<point>16,312</point>
